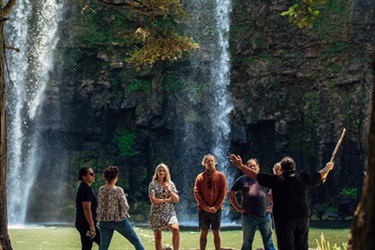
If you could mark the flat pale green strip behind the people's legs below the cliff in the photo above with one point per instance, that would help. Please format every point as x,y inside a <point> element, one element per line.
<point>64,238</point>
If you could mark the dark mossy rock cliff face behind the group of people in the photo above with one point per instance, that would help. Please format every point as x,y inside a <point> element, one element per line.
<point>292,90</point>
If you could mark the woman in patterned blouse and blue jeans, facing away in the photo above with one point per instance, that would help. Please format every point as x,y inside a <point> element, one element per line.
<point>112,212</point>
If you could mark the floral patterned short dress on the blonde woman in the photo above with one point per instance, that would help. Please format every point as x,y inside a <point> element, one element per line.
<point>161,215</point>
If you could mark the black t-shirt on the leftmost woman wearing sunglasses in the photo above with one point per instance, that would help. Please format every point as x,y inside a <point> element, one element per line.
<point>85,193</point>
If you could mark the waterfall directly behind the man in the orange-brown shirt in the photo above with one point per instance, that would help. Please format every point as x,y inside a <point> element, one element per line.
<point>206,125</point>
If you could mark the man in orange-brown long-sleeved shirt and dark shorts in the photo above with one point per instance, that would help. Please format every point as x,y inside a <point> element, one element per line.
<point>210,190</point>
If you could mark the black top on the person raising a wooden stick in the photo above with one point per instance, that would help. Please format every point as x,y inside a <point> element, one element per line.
<point>290,193</point>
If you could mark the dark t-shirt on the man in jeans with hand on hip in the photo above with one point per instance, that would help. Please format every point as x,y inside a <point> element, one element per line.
<point>254,196</point>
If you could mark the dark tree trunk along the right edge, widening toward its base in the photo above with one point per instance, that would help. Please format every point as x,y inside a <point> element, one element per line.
<point>363,226</point>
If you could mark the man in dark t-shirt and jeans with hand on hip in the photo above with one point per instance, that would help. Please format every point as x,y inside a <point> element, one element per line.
<point>254,208</point>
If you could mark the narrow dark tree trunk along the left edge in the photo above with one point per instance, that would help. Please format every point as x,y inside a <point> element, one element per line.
<point>4,236</point>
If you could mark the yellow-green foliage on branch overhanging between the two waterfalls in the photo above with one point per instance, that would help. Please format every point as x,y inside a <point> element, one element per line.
<point>155,35</point>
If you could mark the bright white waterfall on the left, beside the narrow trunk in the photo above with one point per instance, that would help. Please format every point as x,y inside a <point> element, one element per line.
<point>32,28</point>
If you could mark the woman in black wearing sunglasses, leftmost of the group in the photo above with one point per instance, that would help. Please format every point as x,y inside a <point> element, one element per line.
<point>86,204</point>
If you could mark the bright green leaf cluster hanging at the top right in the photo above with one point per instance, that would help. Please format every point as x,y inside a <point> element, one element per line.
<point>304,14</point>
